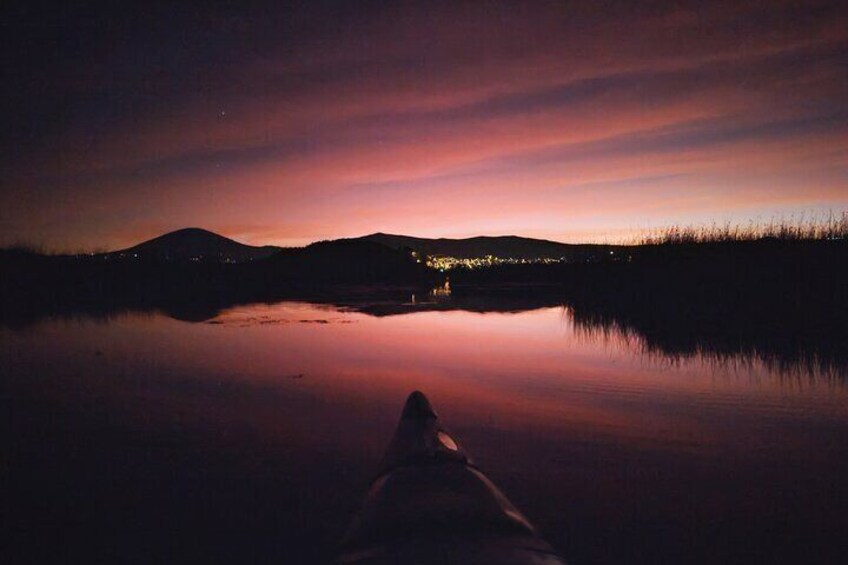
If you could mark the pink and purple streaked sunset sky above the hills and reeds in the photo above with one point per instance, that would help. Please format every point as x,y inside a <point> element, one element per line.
<point>286,124</point>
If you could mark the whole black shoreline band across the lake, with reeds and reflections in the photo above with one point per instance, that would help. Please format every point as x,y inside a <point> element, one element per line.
<point>776,293</point>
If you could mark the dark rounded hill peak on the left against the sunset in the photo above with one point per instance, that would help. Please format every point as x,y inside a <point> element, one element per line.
<point>195,244</point>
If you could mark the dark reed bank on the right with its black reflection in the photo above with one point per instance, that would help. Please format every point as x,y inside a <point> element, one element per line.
<point>784,302</point>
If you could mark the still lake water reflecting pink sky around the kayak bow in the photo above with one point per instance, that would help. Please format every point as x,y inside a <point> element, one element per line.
<point>252,436</point>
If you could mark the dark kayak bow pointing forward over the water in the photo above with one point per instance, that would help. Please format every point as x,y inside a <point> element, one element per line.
<point>431,504</point>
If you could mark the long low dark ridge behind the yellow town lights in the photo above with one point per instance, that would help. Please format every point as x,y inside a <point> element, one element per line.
<point>509,246</point>
